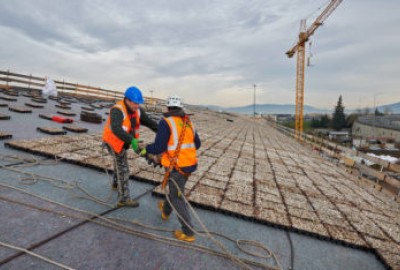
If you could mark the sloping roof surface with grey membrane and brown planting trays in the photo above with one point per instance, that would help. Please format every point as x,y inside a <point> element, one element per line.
<point>253,183</point>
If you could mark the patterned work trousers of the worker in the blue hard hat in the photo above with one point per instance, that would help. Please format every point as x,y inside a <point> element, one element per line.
<point>121,173</point>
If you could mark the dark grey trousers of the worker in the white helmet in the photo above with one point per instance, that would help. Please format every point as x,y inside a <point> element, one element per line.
<point>178,202</point>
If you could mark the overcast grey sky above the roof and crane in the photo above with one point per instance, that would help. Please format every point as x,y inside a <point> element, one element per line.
<point>209,52</point>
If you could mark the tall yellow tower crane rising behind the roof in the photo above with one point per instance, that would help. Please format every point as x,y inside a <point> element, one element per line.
<point>301,52</point>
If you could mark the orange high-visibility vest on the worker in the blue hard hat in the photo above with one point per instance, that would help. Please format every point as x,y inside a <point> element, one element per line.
<point>110,138</point>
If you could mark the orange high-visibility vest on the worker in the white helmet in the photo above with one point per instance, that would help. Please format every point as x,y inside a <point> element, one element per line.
<point>187,155</point>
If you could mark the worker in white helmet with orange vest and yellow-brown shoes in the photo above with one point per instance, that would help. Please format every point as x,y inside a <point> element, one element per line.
<point>176,141</point>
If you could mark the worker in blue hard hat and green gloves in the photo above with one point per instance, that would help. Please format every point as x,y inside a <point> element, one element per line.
<point>122,132</point>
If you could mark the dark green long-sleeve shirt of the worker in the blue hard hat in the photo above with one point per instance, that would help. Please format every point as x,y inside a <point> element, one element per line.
<point>116,119</point>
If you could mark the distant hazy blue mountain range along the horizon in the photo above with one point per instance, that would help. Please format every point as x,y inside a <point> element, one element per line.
<point>290,109</point>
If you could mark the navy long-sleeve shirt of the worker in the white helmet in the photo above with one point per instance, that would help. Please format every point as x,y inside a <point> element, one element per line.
<point>160,144</point>
